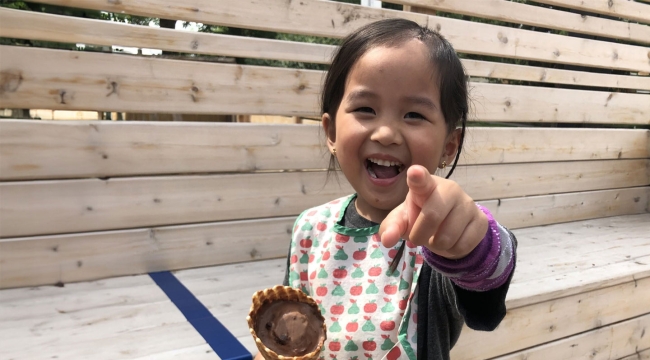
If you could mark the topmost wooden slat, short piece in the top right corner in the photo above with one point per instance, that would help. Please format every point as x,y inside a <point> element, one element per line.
<point>616,8</point>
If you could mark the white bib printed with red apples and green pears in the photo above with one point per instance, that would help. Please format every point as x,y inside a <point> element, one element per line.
<point>368,311</point>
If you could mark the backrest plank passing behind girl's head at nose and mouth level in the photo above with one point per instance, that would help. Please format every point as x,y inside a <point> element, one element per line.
<point>54,149</point>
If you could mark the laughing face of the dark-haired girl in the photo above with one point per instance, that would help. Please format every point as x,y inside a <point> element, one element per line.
<point>388,120</point>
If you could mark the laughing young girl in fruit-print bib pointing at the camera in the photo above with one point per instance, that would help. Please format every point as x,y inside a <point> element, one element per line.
<point>397,267</point>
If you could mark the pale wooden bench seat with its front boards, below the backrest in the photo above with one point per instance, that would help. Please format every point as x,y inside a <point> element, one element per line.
<point>559,267</point>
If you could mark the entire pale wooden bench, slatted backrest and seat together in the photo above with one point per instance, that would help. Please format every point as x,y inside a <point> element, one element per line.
<point>84,204</point>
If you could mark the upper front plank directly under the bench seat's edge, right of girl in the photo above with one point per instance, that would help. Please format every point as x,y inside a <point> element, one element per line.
<point>553,320</point>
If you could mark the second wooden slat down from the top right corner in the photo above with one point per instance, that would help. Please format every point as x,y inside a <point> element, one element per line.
<point>527,14</point>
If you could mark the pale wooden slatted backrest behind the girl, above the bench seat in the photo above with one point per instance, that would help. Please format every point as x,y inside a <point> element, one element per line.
<point>87,200</point>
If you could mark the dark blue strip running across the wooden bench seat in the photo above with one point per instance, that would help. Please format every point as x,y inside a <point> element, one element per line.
<point>215,334</point>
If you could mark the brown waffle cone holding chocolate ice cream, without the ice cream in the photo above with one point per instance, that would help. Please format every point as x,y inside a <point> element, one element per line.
<point>281,293</point>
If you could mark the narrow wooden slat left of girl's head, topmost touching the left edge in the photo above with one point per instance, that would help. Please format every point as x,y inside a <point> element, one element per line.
<point>33,25</point>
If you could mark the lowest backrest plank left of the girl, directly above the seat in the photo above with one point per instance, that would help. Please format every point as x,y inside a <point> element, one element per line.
<point>77,257</point>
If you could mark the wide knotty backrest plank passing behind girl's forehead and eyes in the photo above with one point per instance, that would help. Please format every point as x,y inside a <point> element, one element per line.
<point>37,78</point>
